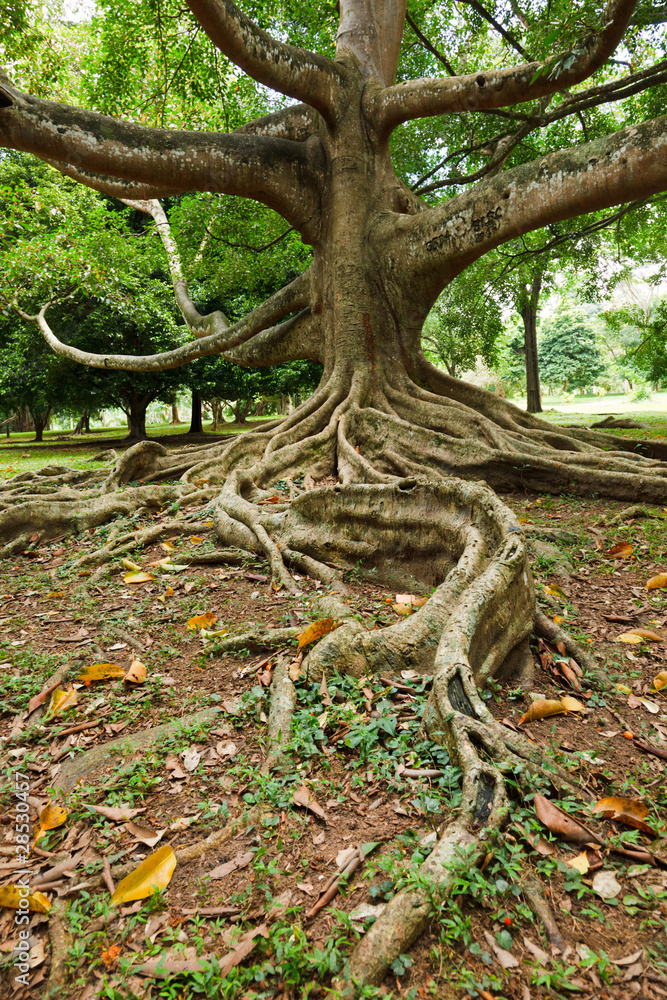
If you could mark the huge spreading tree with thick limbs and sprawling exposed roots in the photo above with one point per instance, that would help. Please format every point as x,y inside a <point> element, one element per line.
<point>393,428</point>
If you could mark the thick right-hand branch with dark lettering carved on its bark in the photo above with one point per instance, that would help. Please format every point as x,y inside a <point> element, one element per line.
<point>441,242</point>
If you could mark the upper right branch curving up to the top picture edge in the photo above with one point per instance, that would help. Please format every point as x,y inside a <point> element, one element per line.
<point>504,88</point>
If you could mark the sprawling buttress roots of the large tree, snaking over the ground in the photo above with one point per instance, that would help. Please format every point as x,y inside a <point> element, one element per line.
<point>411,508</point>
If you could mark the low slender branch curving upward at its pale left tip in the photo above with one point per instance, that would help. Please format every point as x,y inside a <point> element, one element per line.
<point>290,298</point>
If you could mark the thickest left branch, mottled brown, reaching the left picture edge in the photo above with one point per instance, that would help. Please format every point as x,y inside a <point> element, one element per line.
<point>280,173</point>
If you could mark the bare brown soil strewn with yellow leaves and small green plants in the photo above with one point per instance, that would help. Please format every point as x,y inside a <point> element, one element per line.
<point>370,780</point>
